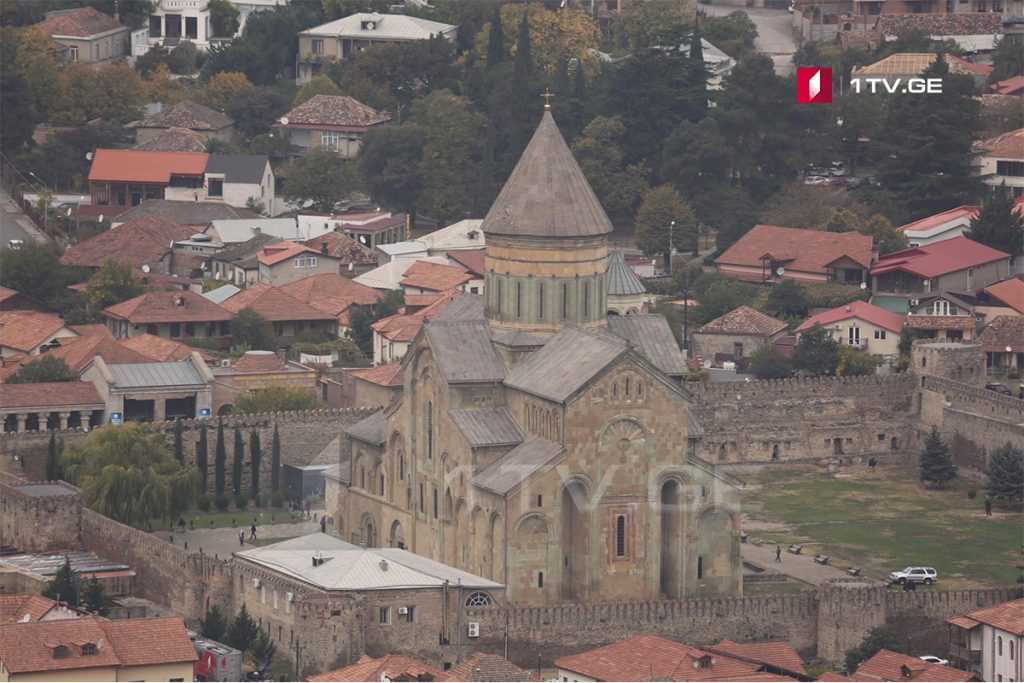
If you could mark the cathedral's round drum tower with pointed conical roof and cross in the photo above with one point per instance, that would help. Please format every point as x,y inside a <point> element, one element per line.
<point>547,247</point>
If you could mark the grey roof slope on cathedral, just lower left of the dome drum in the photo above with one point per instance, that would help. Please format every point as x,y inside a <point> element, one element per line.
<point>464,352</point>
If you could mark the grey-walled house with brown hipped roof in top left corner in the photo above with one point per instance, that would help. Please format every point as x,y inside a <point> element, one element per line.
<point>89,35</point>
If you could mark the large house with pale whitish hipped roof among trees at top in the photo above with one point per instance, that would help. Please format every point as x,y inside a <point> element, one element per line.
<point>338,40</point>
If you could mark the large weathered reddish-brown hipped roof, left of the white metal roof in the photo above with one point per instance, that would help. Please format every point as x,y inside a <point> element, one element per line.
<point>141,242</point>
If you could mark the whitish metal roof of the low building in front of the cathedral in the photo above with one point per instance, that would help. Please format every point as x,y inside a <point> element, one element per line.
<point>350,568</point>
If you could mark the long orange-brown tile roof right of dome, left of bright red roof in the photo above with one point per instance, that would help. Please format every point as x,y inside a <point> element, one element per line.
<point>801,251</point>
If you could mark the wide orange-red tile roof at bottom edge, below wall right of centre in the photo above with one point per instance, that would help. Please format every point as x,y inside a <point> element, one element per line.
<point>649,658</point>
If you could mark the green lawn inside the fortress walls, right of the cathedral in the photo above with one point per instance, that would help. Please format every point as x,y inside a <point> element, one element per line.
<point>887,521</point>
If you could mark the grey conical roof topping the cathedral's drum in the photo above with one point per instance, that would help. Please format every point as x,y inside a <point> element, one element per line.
<point>547,195</point>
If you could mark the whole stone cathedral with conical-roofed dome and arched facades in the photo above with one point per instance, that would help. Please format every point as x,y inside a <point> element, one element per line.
<point>538,441</point>
